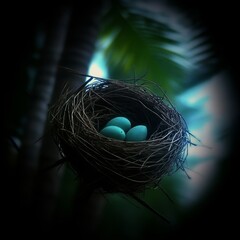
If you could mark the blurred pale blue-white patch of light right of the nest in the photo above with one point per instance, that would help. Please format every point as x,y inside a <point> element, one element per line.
<point>208,117</point>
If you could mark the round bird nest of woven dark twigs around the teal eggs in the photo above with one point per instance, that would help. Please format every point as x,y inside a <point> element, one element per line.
<point>110,164</point>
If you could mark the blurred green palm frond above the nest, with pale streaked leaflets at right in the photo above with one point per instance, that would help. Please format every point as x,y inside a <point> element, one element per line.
<point>142,43</point>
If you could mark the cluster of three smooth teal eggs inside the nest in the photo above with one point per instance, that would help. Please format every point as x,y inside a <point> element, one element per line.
<point>120,128</point>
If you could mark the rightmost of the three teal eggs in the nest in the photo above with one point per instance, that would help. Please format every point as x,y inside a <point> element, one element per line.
<point>137,133</point>
